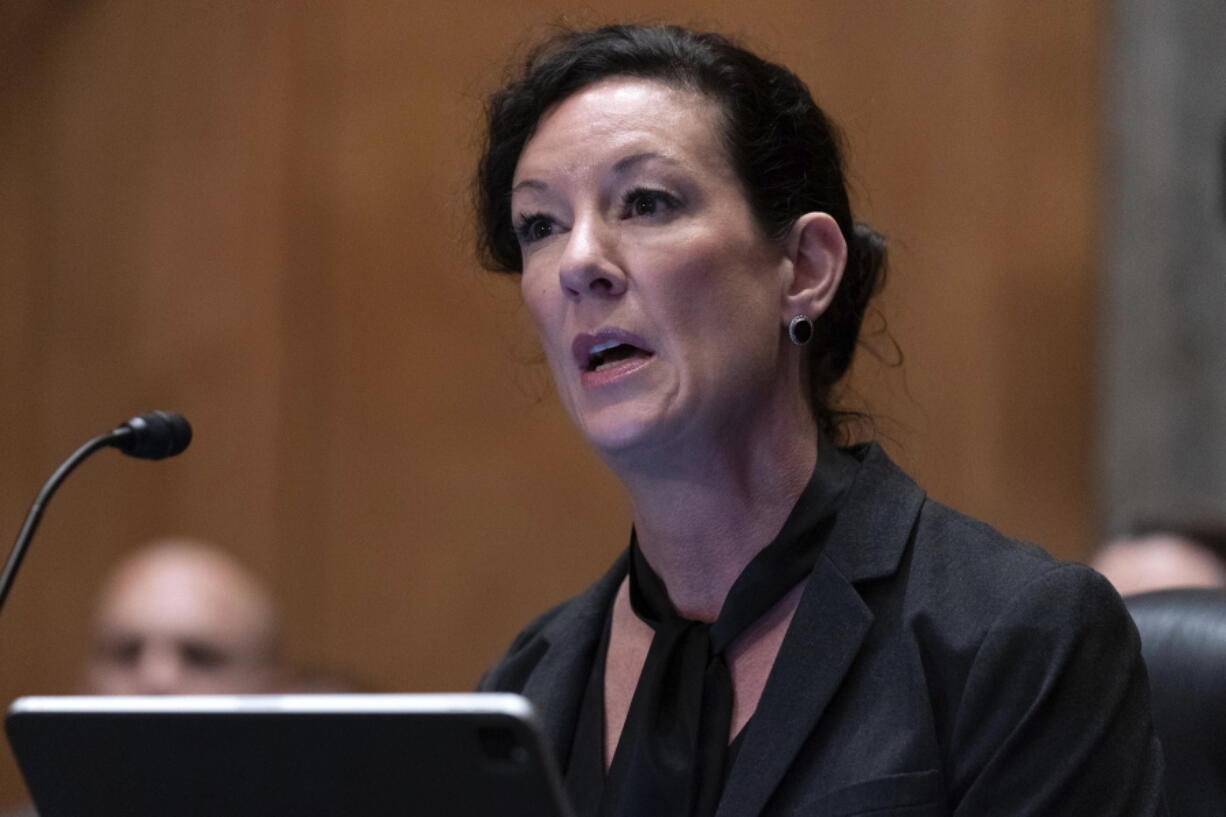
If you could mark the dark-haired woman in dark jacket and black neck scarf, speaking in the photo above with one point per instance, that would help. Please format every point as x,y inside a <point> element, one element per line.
<point>795,629</point>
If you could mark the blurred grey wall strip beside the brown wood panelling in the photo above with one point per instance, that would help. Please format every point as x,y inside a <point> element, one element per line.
<point>1164,441</point>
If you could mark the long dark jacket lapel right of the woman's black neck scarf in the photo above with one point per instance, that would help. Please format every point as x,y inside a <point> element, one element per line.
<point>827,632</point>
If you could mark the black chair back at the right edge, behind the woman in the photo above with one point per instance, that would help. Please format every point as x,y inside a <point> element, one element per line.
<point>1184,640</point>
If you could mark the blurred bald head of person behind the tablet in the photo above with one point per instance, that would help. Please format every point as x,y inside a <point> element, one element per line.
<point>186,619</point>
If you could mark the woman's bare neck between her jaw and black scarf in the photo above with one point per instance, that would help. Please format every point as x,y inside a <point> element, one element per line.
<point>701,521</point>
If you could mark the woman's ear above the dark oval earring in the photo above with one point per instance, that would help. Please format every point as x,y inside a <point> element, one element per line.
<point>818,255</point>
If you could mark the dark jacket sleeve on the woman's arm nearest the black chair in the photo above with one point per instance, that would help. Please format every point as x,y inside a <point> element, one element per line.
<point>1029,659</point>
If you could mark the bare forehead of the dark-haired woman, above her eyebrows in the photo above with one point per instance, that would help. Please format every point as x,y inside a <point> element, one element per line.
<point>620,117</point>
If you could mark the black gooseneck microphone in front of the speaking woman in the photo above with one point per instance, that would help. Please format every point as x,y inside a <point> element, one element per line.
<point>154,436</point>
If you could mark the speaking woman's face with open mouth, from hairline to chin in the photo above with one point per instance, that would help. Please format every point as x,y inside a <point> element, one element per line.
<point>658,297</point>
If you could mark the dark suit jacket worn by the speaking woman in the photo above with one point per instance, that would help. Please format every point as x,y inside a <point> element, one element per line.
<point>932,668</point>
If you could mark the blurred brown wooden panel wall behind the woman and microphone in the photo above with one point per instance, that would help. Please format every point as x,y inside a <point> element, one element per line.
<point>257,214</point>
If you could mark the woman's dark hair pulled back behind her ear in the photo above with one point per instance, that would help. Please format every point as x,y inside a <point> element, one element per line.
<point>784,149</point>
